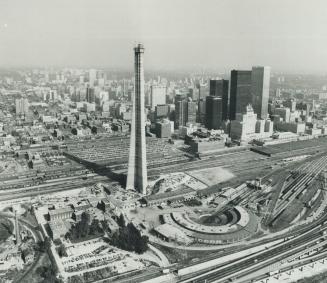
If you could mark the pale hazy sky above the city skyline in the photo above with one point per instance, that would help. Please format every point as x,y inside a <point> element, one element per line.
<point>223,34</point>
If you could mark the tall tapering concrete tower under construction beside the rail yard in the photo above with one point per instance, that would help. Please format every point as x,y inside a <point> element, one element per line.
<point>137,171</point>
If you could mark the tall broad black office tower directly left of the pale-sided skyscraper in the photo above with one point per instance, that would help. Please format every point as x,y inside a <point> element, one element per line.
<point>240,92</point>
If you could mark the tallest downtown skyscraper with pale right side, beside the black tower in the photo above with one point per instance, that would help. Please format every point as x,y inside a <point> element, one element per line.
<point>260,83</point>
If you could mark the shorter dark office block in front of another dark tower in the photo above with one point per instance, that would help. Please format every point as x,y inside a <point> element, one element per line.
<point>213,112</point>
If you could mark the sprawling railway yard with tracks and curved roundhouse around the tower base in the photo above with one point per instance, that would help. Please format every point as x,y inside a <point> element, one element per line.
<point>266,218</point>
